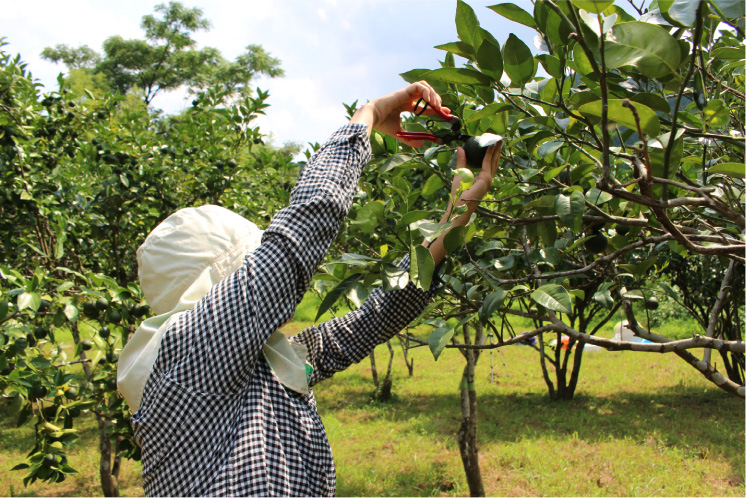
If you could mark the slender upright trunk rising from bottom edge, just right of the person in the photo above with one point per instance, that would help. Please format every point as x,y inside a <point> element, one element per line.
<point>467,434</point>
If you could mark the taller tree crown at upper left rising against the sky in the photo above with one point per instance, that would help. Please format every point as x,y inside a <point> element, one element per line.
<point>167,58</point>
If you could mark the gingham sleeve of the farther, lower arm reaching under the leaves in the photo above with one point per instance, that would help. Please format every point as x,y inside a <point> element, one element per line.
<point>335,345</point>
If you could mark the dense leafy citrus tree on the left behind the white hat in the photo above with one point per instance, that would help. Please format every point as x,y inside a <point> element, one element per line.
<point>84,180</point>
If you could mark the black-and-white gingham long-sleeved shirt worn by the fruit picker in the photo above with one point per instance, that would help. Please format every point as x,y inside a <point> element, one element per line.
<point>214,419</point>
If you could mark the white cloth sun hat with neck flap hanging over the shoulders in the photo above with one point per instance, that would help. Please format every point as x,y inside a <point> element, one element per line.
<point>179,262</point>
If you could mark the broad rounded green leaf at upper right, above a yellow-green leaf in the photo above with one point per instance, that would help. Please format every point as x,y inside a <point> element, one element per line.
<point>648,48</point>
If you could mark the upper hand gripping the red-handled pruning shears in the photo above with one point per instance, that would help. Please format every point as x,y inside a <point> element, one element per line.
<point>387,109</point>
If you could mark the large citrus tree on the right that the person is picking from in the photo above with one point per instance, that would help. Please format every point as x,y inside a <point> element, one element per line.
<point>622,167</point>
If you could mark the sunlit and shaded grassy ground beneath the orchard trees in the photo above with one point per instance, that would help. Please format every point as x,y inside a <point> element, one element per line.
<point>642,425</point>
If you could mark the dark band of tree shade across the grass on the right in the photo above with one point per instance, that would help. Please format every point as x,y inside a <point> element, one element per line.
<point>698,423</point>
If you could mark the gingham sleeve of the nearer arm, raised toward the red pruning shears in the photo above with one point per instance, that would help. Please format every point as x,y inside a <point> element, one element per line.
<point>215,345</point>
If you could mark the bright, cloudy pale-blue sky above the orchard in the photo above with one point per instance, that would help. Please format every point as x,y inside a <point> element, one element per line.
<point>332,51</point>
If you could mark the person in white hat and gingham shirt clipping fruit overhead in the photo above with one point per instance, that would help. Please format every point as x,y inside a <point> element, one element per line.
<point>222,400</point>
